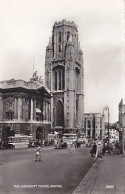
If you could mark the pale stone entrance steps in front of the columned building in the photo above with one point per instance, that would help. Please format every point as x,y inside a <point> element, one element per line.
<point>20,140</point>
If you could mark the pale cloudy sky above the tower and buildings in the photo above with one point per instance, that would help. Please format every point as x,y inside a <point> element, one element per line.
<point>25,28</point>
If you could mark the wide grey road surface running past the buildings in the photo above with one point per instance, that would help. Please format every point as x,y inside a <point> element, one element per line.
<point>59,171</point>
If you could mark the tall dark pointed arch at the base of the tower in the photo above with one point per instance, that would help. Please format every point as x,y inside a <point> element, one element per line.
<point>59,114</point>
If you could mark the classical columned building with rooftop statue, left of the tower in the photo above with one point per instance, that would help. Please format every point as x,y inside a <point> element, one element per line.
<point>24,105</point>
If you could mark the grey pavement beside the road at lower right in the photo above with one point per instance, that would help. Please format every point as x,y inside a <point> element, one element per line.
<point>106,176</point>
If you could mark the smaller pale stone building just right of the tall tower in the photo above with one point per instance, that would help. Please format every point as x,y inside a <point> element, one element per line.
<point>94,125</point>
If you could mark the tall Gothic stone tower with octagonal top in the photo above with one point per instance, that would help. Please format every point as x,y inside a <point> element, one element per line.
<point>64,77</point>
